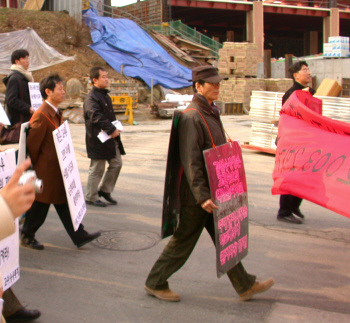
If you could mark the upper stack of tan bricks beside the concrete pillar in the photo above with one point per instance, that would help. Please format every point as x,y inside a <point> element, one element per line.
<point>238,59</point>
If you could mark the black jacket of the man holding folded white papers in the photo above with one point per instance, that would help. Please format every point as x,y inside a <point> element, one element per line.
<point>99,114</point>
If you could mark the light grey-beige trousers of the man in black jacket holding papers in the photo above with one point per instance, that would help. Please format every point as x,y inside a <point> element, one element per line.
<point>96,171</point>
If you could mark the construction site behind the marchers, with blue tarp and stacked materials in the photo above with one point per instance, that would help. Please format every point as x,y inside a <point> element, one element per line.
<point>251,42</point>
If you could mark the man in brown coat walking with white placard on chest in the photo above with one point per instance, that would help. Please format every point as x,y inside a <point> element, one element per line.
<point>43,154</point>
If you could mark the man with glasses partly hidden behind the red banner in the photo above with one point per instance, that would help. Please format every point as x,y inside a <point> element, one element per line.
<point>290,204</point>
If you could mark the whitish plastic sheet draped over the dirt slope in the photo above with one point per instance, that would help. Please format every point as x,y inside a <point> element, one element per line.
<point>41,55</point>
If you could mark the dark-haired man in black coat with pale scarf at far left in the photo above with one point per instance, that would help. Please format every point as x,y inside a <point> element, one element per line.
<point>17,97</point>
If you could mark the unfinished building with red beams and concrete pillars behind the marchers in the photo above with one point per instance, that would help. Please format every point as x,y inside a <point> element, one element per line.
<point>288,26</point>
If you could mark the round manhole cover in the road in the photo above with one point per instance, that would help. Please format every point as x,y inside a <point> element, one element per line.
<point>127,240</point>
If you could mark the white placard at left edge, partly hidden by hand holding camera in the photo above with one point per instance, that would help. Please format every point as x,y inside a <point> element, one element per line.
<point>9,247</point>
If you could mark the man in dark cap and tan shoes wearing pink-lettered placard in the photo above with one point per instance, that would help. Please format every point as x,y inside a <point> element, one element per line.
<point>197,207</point>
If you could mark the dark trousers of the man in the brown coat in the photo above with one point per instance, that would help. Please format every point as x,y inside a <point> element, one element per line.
<point>36,216</point>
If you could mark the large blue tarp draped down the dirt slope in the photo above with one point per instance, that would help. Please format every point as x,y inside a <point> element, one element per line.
<point>122,42</point>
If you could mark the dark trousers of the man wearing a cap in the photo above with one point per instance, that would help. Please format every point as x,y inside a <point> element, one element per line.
<point>192,222</point>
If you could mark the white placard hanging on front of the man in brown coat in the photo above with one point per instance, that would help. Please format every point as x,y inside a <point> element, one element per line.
<point>70,173</point>
